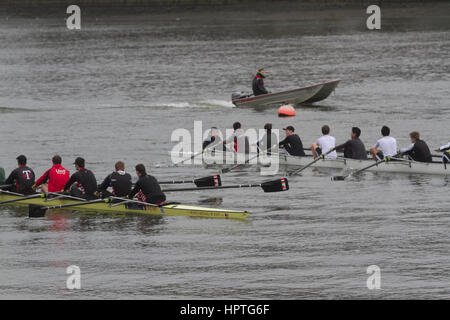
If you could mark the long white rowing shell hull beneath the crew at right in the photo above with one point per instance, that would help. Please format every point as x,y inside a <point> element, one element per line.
<point>434,168</point>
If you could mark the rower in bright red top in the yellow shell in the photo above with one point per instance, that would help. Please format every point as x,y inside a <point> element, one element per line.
<point>55,178</point>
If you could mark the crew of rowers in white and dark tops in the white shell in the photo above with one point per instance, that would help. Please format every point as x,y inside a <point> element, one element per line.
<point>325,146</point>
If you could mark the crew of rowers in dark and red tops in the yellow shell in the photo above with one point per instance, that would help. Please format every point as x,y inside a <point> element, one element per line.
<point>82,183</point>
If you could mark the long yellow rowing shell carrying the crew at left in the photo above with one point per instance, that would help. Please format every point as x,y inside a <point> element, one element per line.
<point>166,210</point>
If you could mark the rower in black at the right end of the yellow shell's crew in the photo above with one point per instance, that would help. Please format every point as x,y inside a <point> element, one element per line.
<point>147,188</point>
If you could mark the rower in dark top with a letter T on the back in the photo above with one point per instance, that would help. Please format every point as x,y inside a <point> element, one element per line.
<point>22,178</point>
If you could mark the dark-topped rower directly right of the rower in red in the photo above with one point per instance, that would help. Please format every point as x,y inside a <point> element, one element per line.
<point>82,183</point>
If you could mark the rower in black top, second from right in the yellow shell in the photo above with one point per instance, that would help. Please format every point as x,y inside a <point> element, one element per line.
<point>119,181</point>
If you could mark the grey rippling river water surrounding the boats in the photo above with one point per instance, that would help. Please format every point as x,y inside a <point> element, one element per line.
<point>119,87</point>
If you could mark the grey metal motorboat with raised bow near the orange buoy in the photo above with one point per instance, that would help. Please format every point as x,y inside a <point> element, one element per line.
<point>308,94</point>
